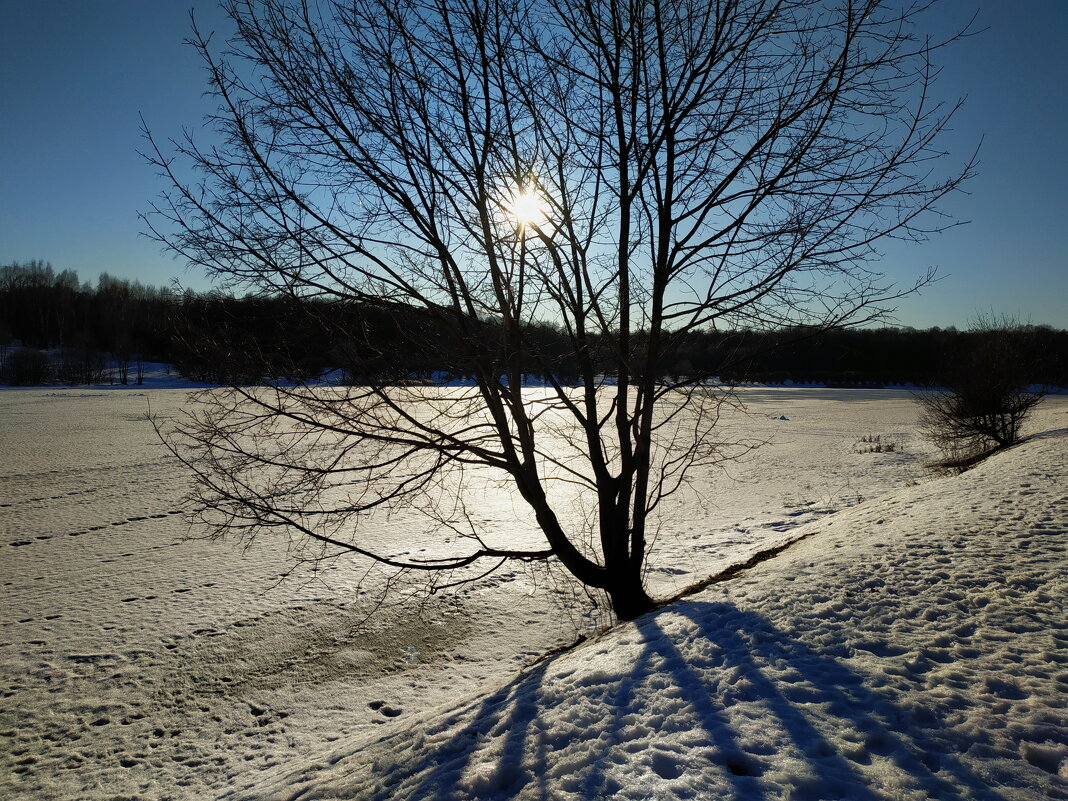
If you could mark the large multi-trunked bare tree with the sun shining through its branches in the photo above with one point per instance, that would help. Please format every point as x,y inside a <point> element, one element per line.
<point>626,171</point>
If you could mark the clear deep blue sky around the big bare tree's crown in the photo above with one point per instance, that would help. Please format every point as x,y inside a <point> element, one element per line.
<point>76,74</point>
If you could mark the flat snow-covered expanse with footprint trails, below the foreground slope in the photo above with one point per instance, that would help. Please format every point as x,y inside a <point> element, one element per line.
<point>140,664</point>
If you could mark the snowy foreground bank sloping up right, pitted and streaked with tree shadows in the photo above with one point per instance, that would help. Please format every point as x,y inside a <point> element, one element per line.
<point>912,648</point>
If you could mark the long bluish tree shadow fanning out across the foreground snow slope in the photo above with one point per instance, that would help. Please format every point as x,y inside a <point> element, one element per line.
<point>516,742</point>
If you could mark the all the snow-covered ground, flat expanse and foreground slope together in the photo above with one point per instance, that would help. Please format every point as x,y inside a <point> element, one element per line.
<point>913,647</point>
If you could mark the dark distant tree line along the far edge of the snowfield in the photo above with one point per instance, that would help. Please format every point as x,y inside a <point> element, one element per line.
<point>77,333</point>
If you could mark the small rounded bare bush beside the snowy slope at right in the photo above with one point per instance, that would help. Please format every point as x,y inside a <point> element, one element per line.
<point>990,391</point>
